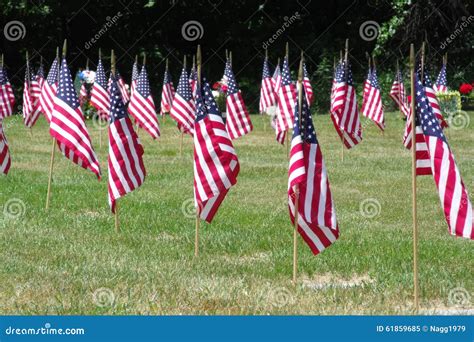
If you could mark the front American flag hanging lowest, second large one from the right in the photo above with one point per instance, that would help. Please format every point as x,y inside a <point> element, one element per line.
<point>317,222</point>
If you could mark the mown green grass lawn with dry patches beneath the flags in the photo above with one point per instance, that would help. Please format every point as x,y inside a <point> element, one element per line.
<point>70,260</point>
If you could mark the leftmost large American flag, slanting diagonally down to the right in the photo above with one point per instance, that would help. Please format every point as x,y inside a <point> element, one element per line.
<point>68,126</point>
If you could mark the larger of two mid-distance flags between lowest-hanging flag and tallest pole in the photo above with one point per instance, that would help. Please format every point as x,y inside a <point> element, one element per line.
<point>344,112</point>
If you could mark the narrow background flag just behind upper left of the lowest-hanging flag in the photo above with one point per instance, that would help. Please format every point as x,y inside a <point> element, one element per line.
<point>286,100</point>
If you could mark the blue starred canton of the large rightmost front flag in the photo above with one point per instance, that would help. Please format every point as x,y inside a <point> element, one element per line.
<point>424,112</point>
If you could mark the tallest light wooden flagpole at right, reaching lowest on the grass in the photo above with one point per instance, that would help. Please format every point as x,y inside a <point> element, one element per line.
<point>413,130</point>
